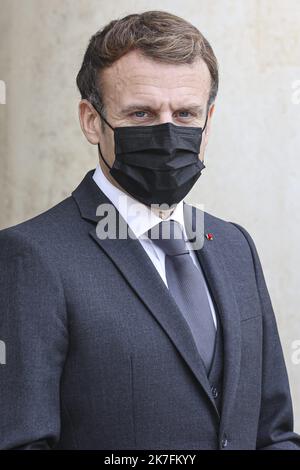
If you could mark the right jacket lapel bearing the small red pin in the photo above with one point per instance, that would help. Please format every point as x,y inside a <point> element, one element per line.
<point>220,285</point>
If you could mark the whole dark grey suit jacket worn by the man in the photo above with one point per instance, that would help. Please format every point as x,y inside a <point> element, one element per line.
<point>100,357</point>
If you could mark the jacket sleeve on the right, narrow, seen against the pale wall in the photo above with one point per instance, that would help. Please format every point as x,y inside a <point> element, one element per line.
<point>275,429</point>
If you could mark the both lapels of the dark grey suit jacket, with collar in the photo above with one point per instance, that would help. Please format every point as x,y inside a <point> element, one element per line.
<point>132,261</point>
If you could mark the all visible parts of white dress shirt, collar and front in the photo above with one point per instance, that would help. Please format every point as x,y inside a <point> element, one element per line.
<point>140,218</point>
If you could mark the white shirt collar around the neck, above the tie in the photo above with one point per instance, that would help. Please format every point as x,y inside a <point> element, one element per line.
<point>139,217</point>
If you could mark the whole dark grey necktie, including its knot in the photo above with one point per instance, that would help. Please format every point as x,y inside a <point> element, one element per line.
<point>186,285</point>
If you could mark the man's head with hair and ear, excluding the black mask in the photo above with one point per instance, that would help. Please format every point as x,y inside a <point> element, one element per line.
<point>146,69</point>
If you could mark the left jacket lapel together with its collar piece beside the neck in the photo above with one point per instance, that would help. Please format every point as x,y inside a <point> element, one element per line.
<point>132,261</point>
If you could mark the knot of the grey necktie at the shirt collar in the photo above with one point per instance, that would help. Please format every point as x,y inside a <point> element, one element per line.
<point>168,235</point>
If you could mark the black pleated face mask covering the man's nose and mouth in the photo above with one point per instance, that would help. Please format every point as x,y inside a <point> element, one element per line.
<point>156,164</point>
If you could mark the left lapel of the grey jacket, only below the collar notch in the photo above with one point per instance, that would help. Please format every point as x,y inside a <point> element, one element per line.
<point>135,265</point>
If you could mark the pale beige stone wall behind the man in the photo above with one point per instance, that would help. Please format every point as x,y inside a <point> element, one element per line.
<point>252,164</point>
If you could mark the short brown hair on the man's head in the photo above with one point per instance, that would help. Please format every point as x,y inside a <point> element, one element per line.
<point>159,35</point>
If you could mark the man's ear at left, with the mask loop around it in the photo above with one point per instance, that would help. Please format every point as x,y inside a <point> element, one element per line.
<point>89,121</point>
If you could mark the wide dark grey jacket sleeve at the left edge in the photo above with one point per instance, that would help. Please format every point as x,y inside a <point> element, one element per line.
<point>33,328</point>
